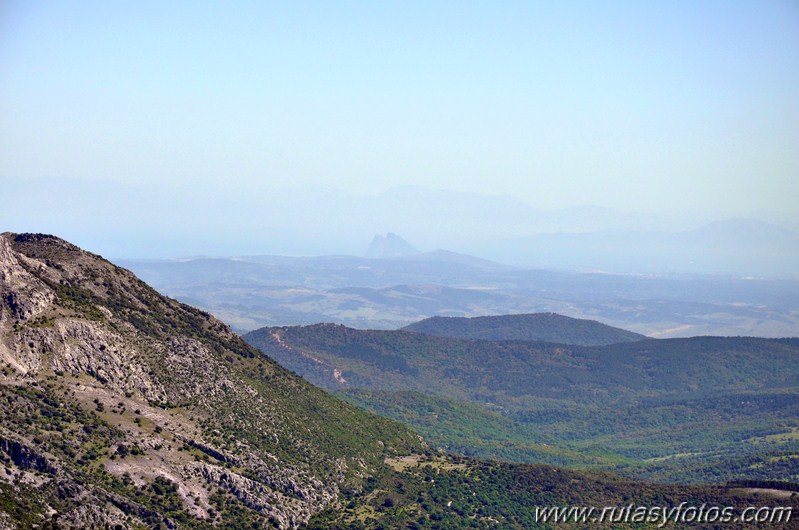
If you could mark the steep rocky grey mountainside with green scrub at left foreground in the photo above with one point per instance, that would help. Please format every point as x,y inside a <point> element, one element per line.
<point>121,406</point>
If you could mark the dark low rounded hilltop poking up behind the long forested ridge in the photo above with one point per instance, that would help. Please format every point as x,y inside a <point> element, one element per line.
<point>545,327</point>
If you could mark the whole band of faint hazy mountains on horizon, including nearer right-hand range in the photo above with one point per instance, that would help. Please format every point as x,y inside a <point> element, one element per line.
<point>310,222</point>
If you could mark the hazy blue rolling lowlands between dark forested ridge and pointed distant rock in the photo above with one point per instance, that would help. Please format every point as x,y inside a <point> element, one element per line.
<point>250,292</point>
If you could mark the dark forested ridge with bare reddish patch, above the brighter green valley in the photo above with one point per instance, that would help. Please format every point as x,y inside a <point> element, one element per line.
<point>403,360</point>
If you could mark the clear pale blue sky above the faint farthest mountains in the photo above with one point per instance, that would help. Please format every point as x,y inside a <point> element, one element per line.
<point>648,106</point>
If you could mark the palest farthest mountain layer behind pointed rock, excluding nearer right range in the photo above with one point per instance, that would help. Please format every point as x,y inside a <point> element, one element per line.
<point>204,221</point>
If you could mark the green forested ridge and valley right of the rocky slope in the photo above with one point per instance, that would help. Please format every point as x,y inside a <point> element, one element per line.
<point>697,409</point>
